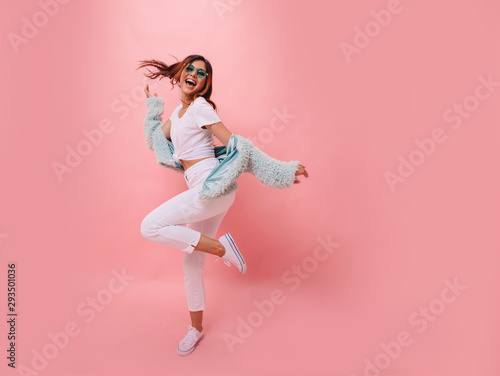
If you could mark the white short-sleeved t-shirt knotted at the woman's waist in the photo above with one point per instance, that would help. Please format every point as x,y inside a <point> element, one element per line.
<point>190,140</point>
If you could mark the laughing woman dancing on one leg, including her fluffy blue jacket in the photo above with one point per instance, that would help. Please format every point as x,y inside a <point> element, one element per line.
<point>190,132</point>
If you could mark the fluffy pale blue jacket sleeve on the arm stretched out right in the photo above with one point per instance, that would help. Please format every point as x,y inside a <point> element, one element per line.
<point>271,171</point>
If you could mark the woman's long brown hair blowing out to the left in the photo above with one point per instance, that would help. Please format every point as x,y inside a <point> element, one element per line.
<point>174,71</point>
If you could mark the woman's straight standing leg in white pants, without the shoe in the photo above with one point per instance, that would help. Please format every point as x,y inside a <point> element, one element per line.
<point>193,265</point>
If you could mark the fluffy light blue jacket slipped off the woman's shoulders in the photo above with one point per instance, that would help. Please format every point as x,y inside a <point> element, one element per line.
<point>239,156</point>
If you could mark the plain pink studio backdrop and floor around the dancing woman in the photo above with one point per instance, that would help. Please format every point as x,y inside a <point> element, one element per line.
<point>354,118</point>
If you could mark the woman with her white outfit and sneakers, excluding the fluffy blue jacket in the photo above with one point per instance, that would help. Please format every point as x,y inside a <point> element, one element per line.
<point>191,129</point>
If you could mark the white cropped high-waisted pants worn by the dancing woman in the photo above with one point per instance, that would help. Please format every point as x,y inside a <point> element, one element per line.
<point>165,225</point>
